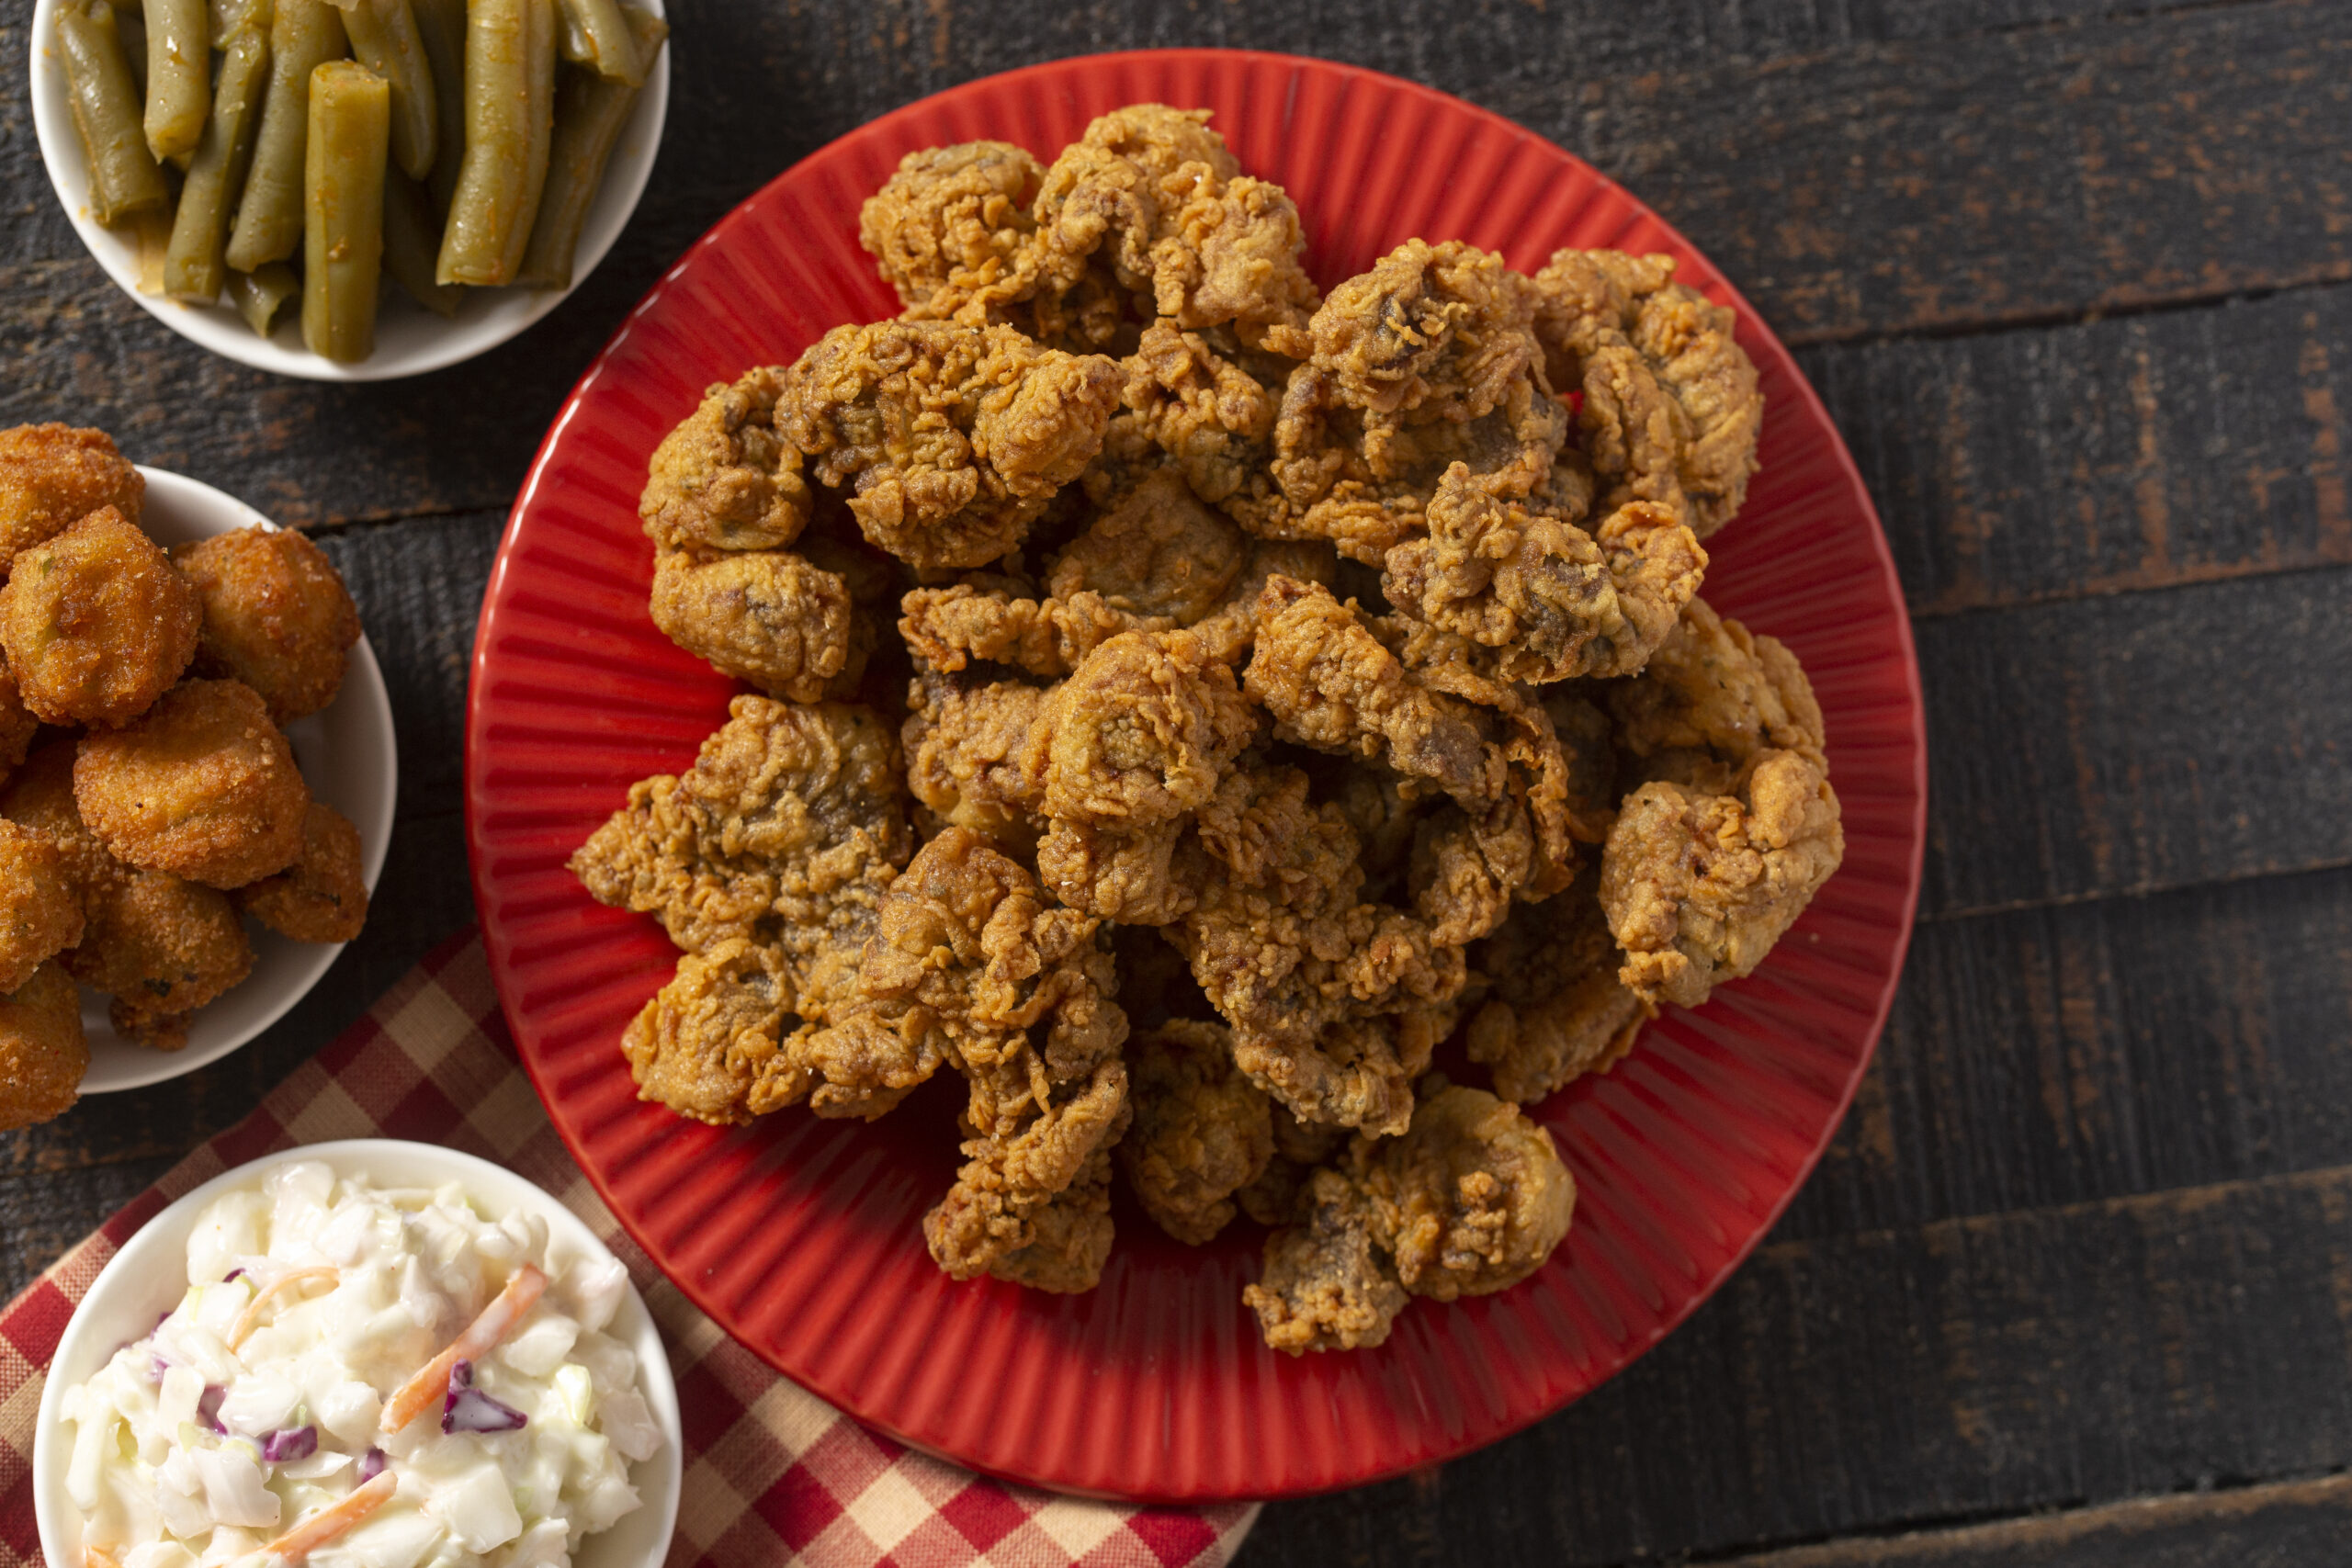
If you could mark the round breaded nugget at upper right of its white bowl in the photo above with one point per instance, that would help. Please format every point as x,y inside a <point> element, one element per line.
<point>276,617</point>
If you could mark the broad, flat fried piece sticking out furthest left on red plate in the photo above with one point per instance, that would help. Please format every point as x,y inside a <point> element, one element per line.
<point>787,831</point>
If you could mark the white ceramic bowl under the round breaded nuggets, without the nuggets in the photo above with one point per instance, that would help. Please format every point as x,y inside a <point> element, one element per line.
<point>352,763</point>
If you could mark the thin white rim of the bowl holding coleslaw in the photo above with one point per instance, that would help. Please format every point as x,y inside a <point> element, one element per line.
<point>655,1376</point>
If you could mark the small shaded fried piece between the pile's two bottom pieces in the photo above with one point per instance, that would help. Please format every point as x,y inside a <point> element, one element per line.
<point>1203,1132</point>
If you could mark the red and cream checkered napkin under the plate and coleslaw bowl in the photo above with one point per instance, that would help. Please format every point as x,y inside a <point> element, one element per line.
<point>773,1473</point>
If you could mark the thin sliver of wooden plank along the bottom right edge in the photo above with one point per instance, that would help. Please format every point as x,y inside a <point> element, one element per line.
<point>2297,1525</point>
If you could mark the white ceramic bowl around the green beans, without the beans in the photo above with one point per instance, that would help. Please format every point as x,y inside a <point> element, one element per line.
<point>410,340</point>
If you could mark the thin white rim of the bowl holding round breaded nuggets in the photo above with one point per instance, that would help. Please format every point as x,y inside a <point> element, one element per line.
<point>363,683</point>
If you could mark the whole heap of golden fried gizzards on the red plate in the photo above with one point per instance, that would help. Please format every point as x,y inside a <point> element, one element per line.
<point>1285,685</point>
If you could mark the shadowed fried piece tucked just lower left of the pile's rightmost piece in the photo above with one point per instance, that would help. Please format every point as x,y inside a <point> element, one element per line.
<point>1553,1005</point>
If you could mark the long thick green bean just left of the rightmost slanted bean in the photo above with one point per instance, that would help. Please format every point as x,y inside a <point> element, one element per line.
<point>509,123</point>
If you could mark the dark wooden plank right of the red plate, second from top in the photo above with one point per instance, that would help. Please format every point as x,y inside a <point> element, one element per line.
<point>2144,453</point>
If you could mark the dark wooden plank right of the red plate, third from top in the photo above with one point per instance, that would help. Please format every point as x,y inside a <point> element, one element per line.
<point>2137,744</point>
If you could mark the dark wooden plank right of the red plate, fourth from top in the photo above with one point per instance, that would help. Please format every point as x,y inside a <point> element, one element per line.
<point>2097,1052</point>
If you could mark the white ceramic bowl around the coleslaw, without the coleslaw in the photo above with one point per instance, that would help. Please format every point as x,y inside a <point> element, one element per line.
<point>152,1273</point>
